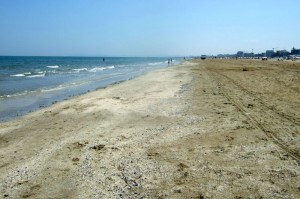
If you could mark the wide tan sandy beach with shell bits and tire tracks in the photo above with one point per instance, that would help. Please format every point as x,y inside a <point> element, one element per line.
<point>204,129</point>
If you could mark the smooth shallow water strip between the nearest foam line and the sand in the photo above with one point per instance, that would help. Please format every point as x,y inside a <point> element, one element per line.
<point>39,99</point>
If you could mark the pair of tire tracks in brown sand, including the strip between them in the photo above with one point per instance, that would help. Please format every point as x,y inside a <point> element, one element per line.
<point>278,127</point>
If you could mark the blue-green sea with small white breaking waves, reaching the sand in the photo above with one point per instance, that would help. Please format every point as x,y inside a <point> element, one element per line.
<point>30,83</point>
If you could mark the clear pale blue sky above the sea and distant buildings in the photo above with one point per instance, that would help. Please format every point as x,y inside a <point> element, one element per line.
<point>147,27</point>
